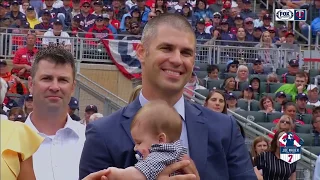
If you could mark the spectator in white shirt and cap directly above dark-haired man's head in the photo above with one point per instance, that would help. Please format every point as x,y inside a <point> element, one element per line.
<point>56,36</point>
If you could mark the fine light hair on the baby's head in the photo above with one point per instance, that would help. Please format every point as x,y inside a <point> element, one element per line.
<point>167,120</point>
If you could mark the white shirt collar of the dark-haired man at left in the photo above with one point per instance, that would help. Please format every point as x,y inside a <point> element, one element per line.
<point>68,126</point>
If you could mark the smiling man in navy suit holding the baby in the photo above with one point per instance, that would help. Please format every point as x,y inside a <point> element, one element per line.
<point>167,57</point>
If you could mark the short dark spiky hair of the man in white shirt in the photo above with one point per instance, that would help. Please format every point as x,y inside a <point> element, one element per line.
<point>54,54</point>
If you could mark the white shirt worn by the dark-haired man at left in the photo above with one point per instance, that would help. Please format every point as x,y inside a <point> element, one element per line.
<point>58,156</point>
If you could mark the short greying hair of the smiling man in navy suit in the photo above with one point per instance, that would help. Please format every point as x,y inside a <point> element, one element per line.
<point>173,20</point>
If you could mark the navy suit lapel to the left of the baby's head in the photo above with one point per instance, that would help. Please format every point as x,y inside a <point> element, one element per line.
<point>128,114</point>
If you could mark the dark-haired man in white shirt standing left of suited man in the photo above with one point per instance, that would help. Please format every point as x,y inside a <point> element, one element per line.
<point>52,83</point>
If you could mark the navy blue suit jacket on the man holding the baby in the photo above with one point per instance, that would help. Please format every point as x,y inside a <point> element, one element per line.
<point>215,144</point>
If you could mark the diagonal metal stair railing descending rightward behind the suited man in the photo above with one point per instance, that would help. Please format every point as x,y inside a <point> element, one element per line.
<point>308,159</point>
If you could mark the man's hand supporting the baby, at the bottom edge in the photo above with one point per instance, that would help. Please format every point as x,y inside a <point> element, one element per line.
<point>181,165</point>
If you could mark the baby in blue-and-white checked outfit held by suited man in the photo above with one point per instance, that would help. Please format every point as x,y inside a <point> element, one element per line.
<point>156,130</point>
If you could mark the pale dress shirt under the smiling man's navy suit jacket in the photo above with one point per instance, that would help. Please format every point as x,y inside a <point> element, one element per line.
<point>179,106</point>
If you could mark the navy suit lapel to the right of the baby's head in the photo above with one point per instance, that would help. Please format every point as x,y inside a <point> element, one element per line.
<point>197,136</point>
